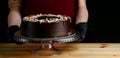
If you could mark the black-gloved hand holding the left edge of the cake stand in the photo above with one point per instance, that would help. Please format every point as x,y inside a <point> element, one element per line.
<point>11,31</point>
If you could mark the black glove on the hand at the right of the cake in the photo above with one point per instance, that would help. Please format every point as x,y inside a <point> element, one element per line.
<point>81,29</point>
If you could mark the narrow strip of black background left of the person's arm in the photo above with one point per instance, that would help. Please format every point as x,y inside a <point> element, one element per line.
<point>3,20</point>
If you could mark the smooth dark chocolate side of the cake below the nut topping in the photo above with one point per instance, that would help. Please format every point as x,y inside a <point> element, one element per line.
<point>46,30</point>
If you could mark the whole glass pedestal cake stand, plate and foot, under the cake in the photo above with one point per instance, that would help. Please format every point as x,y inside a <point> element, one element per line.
<point>46,44</point>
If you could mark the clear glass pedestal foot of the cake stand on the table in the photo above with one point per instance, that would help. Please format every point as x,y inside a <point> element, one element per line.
<point>46,50</point>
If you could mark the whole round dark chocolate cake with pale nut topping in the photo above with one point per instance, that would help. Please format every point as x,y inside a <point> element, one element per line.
<point>46,26</point>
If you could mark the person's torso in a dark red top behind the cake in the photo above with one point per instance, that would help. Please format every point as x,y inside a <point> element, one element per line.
<point>62,7</point>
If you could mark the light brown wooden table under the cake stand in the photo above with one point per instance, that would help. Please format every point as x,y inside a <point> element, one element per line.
<point>69,50</point>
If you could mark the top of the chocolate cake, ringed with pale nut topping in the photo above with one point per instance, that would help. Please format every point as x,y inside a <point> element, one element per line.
<point>46,18</point>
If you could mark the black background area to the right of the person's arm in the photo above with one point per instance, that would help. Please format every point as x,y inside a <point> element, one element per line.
<point>104,24</point>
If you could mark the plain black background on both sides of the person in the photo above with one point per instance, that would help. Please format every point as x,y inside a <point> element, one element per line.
<point>103,24</point>
